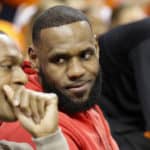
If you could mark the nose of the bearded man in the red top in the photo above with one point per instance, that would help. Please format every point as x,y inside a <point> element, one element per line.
<point>75,69</point>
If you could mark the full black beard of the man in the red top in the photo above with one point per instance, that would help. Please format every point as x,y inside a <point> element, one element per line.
<point>70,102</point>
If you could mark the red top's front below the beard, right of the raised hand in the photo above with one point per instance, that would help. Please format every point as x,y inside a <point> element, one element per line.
<point>87,131</point>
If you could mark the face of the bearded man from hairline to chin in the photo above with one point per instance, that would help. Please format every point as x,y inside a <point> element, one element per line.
<point>68,58</point>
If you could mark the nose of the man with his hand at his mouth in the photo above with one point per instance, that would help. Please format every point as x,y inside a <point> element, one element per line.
<point>19,77</point>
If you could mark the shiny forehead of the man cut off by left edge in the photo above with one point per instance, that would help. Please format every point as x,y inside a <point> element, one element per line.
<point>7,46</point>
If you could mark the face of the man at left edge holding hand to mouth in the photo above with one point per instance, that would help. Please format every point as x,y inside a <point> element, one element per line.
<point>10,71</point>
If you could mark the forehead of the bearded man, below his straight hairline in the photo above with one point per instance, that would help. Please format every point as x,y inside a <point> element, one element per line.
<point>74,34</point>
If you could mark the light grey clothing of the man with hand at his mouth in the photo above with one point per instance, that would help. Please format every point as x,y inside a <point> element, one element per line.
<point>54,141</point>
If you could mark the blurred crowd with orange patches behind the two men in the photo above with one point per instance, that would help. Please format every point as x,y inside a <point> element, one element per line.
<point>17,16</point>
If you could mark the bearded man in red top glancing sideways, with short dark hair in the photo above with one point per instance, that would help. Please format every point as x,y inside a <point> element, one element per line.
<point>68,56</point>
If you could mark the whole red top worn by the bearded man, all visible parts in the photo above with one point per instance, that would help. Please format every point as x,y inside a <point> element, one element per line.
<point>85,131</point>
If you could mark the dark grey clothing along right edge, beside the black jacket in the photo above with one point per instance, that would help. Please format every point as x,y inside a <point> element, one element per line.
<point>140,60</point>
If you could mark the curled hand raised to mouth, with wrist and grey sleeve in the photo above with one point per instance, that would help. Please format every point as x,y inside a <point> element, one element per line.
<point>43,128</point>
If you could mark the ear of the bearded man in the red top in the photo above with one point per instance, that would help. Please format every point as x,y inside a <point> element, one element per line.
<point>33,58</point>
